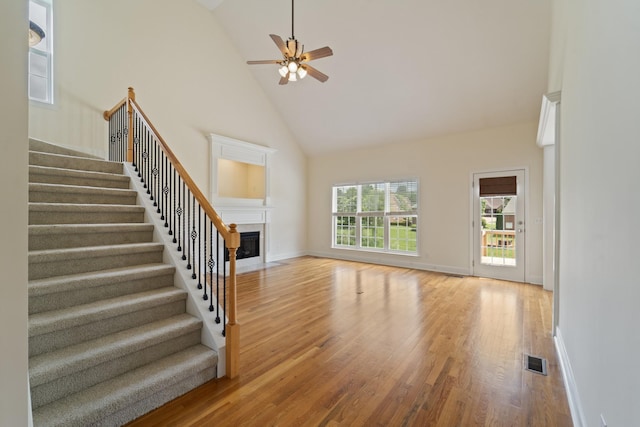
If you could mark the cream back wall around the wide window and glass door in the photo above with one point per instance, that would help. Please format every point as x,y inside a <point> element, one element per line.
<point>443,166</point>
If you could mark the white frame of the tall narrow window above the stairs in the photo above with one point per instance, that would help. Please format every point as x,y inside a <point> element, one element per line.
<point>46,52</point>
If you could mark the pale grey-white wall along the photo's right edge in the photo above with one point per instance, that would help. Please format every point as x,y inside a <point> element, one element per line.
<point>600,203</point>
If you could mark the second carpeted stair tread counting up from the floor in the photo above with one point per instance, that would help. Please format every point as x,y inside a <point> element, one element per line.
<point>76,358</point>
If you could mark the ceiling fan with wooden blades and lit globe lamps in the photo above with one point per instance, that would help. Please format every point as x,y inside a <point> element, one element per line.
<point>294,64</point>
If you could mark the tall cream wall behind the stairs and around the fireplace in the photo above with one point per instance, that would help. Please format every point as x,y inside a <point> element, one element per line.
<point>188,78</point>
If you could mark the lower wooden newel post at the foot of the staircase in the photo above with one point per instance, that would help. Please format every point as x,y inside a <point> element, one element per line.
<point>233,328</point>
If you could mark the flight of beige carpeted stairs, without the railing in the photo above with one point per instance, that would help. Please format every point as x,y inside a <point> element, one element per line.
<point>109,337</point>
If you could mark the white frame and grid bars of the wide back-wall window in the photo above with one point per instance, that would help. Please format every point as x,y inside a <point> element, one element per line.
<point>362,220</point>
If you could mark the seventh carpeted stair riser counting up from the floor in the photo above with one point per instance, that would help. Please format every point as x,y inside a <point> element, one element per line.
<point>84,217</point>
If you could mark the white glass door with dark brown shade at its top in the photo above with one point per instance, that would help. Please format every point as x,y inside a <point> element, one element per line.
<point>499,225</point>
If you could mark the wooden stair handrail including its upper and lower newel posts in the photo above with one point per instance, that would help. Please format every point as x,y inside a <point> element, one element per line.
<point>230,234</point>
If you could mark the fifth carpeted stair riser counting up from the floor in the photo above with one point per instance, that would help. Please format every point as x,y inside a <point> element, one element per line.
<point>62,265</point>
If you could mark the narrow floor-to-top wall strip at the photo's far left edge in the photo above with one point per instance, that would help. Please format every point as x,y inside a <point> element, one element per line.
<point>13,214</point>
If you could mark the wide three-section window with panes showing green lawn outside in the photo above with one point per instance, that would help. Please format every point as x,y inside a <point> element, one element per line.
<point>379,216</point>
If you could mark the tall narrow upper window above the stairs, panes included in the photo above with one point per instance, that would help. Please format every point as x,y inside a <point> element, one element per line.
<point>40,55</point>
